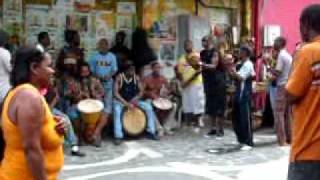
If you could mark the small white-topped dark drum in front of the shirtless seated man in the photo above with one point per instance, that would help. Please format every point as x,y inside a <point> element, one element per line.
<point>162,107</point>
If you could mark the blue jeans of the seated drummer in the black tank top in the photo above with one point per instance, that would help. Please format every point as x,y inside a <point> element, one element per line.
<point>117,119</point>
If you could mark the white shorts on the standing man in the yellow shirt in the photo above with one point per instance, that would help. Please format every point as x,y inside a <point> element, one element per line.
<point>193,100</point>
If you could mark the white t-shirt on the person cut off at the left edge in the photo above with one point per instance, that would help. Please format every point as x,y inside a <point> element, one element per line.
<point>5,69</point>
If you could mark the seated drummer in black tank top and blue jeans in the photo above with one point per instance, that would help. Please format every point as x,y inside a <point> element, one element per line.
<point>128,92</point>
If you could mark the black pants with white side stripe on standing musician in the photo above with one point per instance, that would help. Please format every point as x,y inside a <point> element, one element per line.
<point>242,121</point>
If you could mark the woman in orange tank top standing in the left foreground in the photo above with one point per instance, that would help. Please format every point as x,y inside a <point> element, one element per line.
<point>33,137</point>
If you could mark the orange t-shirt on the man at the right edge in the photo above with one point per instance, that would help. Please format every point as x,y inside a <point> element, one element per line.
<point>304,82</point>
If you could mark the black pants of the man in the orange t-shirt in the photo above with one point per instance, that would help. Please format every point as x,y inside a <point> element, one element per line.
<point>304,170</point>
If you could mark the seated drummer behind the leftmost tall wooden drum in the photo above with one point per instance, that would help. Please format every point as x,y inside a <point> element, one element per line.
<point>91,87</point>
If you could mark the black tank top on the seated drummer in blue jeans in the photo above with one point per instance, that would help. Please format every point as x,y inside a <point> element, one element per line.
<point>128,88</point>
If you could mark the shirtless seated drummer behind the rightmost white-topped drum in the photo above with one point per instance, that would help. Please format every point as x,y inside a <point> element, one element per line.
<point>156,86</point>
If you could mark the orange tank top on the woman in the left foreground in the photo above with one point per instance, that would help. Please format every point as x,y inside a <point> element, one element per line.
<point>14,165</point>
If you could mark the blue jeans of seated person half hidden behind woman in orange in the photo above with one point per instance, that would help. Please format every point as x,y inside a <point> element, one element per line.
<point>70,137</point>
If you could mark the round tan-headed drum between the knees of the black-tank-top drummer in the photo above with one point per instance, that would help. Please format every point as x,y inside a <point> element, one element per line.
<point>134,121</point>
